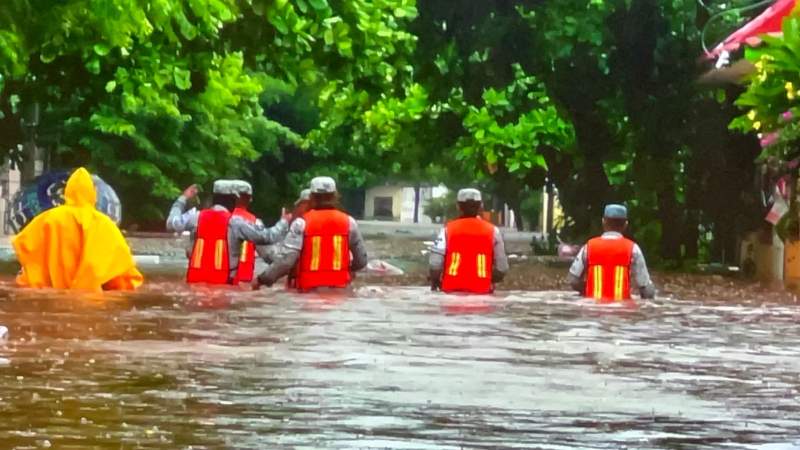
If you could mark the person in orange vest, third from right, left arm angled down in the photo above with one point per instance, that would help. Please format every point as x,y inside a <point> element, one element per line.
<point>324,245</point>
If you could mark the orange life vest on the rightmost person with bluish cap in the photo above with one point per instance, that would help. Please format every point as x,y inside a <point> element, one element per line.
<point>608,261</point>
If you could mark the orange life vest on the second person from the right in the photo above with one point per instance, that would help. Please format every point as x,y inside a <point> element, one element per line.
<point>469,257</point>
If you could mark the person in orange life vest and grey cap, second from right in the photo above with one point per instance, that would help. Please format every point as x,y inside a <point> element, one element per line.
<point>469,255</point>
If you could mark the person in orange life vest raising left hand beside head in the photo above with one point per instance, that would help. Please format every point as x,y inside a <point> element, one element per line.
<point>217,234</point>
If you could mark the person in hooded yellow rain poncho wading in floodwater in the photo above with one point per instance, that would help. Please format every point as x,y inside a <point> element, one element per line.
<point>74,246</point>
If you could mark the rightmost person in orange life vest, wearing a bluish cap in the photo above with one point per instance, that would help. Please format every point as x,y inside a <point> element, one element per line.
<point>606,265</point>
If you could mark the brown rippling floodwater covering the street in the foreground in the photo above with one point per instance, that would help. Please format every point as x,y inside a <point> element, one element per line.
<point>396,368</point>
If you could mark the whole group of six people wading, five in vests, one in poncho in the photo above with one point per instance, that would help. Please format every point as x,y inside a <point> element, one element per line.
<point>316,246</point>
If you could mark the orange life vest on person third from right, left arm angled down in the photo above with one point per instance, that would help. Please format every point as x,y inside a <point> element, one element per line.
<point>325,258</point>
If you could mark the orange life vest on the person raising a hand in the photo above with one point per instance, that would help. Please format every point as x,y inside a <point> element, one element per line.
<point>208,262</point>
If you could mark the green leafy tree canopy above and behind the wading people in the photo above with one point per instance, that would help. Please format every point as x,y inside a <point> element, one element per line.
<point>596,99</point>
